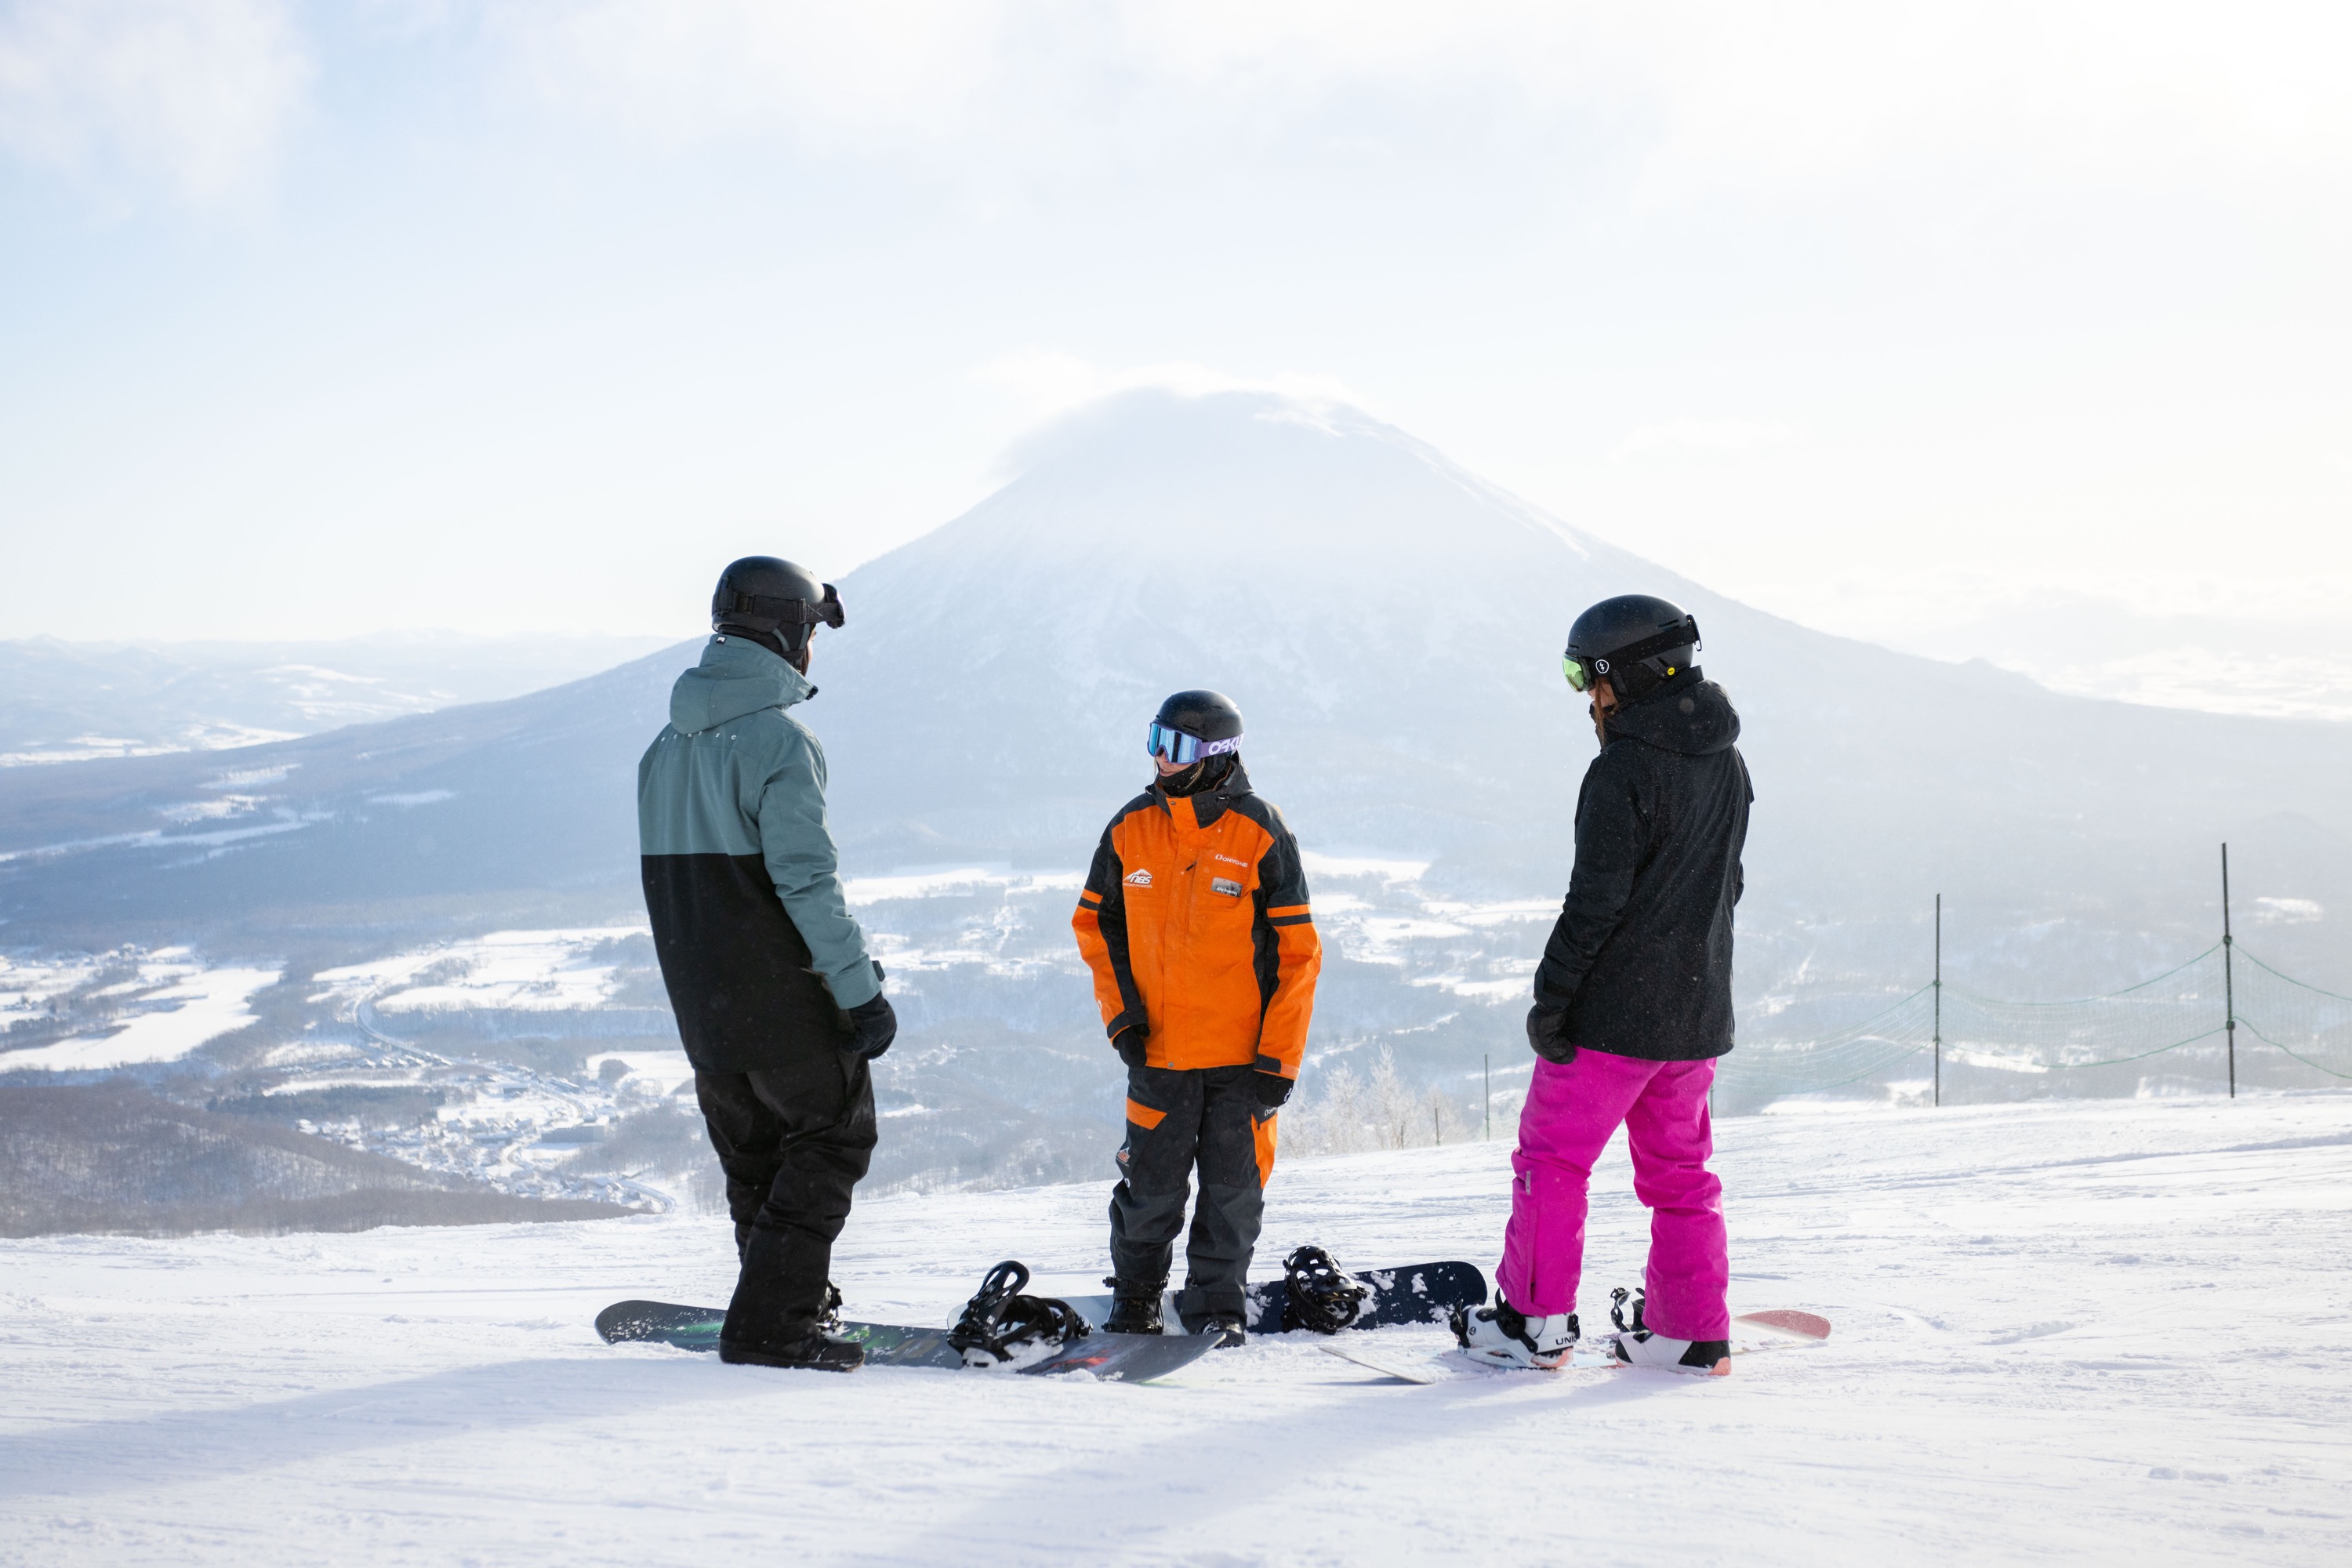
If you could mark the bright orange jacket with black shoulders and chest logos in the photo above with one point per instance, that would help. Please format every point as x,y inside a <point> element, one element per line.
<point>1196,923</point>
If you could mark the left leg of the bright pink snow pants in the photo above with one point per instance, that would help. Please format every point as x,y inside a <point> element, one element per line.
<point>1563,1130</point>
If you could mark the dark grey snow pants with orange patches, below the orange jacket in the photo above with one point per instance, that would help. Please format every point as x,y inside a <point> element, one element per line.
<point>1177,1120</point>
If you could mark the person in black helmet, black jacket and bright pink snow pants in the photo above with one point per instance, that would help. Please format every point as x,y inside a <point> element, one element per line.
<point>1633,1005</point>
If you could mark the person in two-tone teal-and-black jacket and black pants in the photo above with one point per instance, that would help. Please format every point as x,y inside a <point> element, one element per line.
<point>777,1003</point>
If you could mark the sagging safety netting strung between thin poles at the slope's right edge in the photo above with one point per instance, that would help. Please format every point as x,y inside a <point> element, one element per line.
<point>2163,1036</point>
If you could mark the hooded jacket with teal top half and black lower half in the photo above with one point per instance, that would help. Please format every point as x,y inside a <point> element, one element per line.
<point>742,880</point>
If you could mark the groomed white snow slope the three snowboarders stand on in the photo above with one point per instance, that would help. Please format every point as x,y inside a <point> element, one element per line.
<point>2109,1332</point>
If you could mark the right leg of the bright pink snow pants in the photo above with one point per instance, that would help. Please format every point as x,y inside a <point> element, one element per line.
<point>1690,1261</point>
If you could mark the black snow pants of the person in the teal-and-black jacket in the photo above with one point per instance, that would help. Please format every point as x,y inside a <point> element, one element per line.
<point>794,1144</point>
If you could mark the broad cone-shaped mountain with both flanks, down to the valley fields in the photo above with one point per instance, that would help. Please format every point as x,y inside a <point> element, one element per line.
<point>1391,626</point>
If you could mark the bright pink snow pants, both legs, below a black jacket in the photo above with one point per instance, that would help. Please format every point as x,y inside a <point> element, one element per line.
<point>1563,1130</point>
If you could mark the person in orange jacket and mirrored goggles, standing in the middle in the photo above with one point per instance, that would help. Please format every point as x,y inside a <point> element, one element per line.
<point>1203,949</point>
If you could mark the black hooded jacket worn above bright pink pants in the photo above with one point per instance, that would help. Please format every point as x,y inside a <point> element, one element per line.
<point>1643,951</point>
